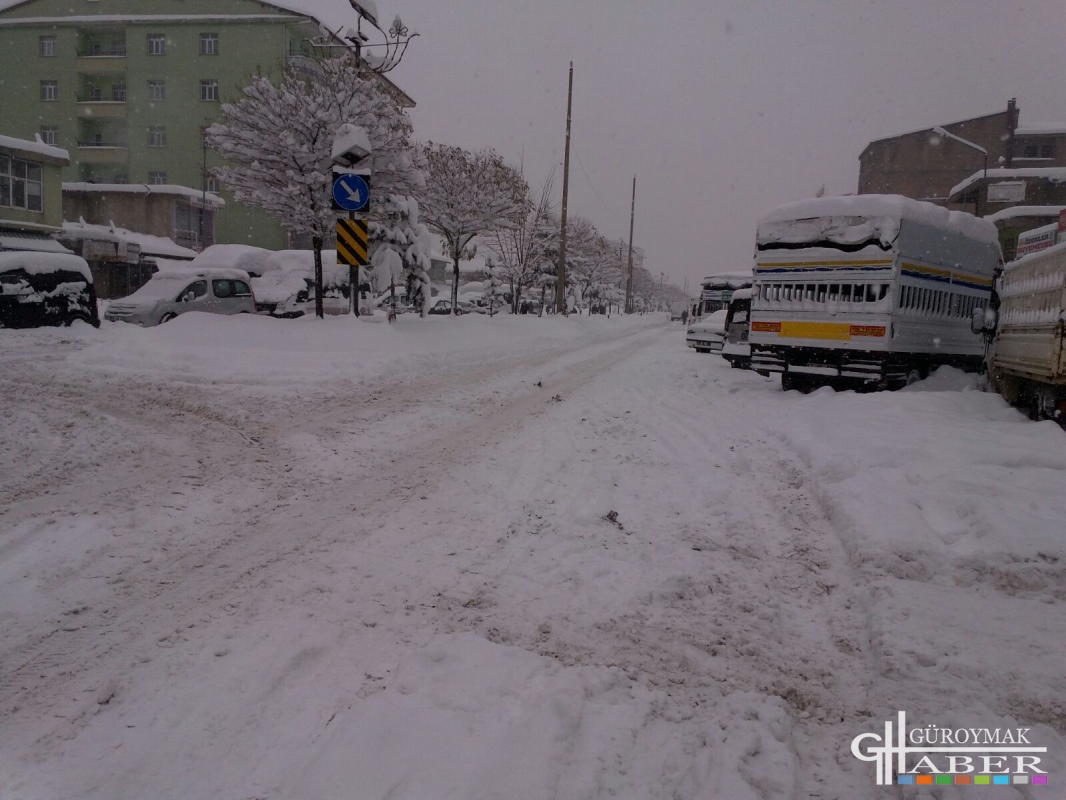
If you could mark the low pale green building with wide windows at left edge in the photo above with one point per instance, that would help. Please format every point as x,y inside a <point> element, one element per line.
<point>31,204</point>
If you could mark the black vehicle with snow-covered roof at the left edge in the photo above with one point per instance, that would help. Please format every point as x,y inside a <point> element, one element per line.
<point>41,290</point>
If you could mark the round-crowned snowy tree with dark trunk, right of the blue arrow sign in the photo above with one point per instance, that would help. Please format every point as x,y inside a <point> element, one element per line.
<point>467,196</point>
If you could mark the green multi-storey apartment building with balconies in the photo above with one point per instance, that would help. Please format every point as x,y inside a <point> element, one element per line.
<point>127,87</point>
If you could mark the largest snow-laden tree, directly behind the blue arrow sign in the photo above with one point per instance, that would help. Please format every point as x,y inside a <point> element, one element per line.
<point>278,140</point>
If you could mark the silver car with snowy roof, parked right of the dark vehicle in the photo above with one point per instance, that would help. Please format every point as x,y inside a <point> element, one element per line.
<point>172,293</point>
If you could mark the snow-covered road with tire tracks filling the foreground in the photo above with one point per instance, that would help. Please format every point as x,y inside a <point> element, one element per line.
<point>540,561</point>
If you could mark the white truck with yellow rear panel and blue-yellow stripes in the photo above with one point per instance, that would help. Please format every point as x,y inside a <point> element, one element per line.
<point>869,292</point>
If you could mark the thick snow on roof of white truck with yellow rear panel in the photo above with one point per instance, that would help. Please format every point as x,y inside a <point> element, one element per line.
<point>883,214</point>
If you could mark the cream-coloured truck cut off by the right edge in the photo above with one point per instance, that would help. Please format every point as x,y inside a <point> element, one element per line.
<point>1027,327</point>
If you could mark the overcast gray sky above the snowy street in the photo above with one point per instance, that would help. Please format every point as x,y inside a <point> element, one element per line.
<point>723,109</point>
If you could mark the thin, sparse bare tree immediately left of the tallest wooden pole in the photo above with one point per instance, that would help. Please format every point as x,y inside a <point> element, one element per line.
<point>523,249</point>
